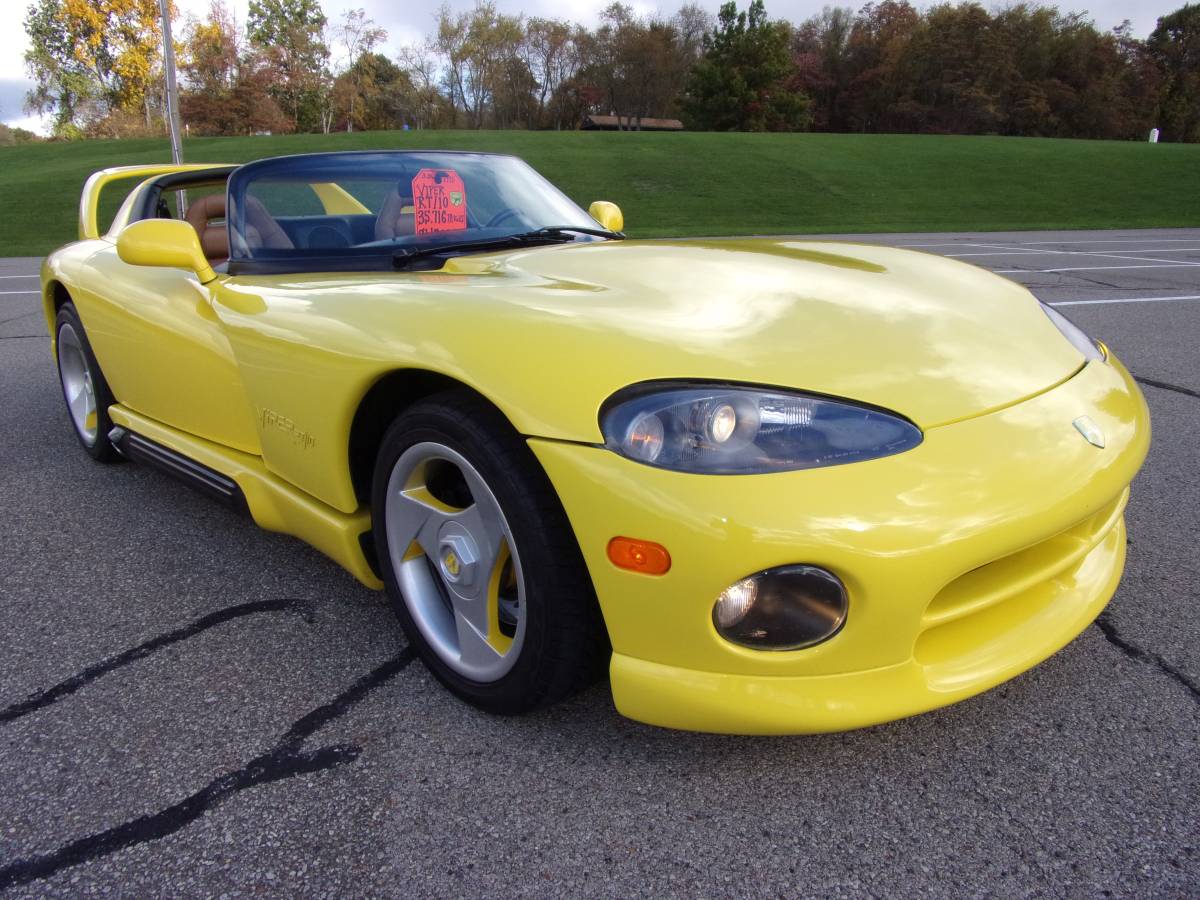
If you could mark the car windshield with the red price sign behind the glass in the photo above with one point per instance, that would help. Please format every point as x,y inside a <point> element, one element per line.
<point>364,209</point>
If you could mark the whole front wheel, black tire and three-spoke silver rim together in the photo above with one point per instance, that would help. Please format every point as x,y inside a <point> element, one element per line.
<point>479,560</point>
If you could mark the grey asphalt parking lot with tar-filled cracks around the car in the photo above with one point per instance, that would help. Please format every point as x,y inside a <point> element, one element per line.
<point>190,706</point>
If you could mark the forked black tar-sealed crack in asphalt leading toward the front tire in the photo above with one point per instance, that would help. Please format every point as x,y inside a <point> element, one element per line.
<point>284,761</point>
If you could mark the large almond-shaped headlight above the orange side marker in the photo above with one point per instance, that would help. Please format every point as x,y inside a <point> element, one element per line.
<point>724,430</point>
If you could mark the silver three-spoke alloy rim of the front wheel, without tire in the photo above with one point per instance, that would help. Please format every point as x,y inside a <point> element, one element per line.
<point>455,562</point>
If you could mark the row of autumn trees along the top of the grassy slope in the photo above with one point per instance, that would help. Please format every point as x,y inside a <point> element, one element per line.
<point>1023,70</point>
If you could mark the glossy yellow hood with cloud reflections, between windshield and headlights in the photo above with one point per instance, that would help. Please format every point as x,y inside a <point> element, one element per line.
<point>551,333</point>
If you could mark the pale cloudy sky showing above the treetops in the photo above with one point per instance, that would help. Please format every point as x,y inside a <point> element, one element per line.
<point>409,22</point>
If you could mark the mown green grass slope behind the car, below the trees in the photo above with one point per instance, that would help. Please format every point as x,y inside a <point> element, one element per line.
<point>695,184</point>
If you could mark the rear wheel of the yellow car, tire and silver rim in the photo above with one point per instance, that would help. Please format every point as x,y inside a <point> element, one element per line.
<point>85,388</point>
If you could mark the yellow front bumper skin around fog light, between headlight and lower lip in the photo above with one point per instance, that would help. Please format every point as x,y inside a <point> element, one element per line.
<point>897,531</point>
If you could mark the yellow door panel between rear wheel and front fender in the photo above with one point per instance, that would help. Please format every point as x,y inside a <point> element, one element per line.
<point>165,352</point>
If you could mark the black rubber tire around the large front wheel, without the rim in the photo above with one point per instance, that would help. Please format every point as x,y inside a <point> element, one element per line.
<point>566,646</point>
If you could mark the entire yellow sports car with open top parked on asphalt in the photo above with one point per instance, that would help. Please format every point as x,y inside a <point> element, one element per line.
<point>775,487</point>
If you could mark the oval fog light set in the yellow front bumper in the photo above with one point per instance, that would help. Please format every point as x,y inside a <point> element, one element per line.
<point>782,609</point>
